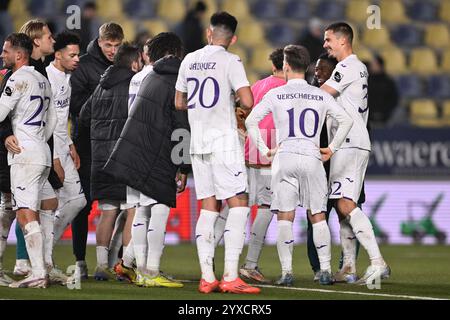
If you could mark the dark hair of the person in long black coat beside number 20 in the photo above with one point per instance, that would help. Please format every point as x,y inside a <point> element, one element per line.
<point>163,44</point>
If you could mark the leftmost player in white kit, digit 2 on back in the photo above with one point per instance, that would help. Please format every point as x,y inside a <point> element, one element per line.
<point>27,98</point>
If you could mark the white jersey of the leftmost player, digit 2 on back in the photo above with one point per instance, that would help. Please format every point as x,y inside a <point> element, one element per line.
<point>28,95</point>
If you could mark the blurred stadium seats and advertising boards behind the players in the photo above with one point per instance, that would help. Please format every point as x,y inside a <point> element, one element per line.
<point>408,179</point>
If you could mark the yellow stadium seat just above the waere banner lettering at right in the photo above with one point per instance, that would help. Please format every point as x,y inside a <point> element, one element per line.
<point>424,113</point>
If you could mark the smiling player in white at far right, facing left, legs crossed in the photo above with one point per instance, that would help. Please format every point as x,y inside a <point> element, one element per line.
<point>348,84</point>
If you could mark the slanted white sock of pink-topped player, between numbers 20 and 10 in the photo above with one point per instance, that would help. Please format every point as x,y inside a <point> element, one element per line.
<point>257,237</point>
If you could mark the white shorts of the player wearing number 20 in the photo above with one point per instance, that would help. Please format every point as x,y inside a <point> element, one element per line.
<point>219,174</point>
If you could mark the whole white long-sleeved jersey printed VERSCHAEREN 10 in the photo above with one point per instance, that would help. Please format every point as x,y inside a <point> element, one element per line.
<point>299,111</point>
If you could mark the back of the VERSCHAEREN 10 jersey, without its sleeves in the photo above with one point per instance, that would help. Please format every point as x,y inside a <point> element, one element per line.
<point>299,111</point>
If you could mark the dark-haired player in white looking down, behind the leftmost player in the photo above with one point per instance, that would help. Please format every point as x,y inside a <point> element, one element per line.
<point>71,197</point>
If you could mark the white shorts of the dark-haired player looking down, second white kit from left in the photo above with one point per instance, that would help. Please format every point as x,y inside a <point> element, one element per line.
<point>72,188</point>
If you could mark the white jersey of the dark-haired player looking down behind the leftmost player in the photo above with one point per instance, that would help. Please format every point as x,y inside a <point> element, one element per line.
<point>61,90</point>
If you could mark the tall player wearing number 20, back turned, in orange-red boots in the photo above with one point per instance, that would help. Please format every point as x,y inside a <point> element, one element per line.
<point>208,80</point>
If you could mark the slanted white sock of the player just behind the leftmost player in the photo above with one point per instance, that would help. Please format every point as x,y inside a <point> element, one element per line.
<point>65,214</point>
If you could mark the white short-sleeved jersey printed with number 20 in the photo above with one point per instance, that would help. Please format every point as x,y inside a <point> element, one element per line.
<point>210,76</point>
